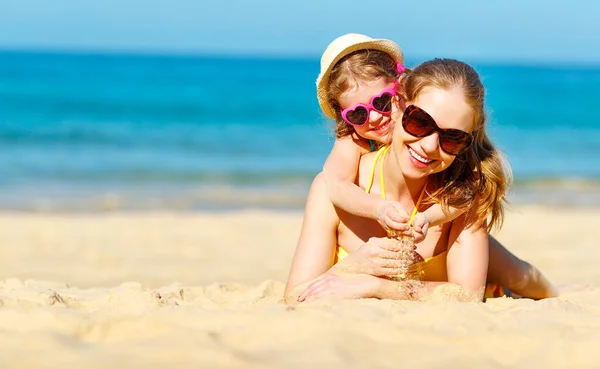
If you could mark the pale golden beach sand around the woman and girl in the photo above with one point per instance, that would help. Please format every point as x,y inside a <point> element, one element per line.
<point>152,290</point>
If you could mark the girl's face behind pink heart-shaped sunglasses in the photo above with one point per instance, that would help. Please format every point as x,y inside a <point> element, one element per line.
<point>379,127</point>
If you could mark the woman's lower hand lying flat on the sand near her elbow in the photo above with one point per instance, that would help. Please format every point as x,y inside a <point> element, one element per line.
<point>342,286</point>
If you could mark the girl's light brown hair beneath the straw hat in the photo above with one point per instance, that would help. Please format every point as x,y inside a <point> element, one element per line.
<point>361,65</point>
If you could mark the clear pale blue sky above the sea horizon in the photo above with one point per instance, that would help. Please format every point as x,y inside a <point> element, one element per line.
<point>510,30</point>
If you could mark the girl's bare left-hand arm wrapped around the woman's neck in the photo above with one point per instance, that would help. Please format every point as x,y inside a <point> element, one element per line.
<point>340,172</point>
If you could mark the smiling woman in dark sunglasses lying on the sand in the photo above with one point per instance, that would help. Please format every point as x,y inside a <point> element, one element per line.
<point>439,154</point>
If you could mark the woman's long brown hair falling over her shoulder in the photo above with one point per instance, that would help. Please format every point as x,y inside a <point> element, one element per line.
<point>479,178</point>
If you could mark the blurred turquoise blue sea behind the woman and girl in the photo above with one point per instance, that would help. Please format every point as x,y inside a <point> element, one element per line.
<point>98,132</point>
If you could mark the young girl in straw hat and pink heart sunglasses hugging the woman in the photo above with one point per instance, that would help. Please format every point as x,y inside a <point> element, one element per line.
<point>359,88</point>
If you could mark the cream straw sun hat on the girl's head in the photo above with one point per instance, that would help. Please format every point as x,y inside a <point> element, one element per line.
<point>341,47</point>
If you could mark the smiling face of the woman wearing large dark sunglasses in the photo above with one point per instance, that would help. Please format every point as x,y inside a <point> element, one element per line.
<point>419,157</point>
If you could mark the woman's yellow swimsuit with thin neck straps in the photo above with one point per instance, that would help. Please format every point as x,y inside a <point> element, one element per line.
<point>430,269</point>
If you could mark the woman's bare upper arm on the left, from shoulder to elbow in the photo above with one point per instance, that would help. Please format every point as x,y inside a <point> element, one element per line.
<point>317,242</point>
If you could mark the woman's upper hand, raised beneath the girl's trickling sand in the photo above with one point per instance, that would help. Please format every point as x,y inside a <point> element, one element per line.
<point>377,257</point>
